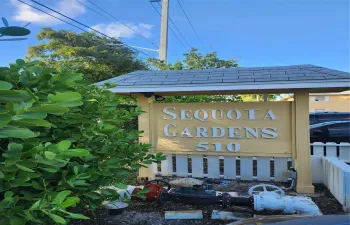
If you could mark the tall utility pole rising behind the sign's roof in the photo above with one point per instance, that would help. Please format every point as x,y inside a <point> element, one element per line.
<point>163,51</point>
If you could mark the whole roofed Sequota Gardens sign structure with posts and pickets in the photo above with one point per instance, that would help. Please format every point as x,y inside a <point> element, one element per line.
<point>258,131</point>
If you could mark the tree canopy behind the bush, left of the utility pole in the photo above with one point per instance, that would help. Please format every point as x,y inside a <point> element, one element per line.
<point>86,52</point>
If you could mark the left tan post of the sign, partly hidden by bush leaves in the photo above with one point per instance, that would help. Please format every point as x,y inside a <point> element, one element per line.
<point>144,125</point>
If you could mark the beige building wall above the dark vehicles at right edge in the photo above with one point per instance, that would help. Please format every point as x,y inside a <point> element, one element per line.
<point>334,103</point>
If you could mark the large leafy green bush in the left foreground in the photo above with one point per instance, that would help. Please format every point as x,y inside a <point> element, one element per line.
<point>61,140</point>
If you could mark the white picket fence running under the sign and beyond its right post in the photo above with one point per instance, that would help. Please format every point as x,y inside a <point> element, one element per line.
<point>248,168</point>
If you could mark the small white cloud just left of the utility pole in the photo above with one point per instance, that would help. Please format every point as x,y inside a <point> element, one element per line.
<point>118,30</point>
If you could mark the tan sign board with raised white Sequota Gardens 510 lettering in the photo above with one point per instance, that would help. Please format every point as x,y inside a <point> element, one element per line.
<point>251,129</point>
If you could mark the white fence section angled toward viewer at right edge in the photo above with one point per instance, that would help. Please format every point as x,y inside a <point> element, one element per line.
<point>336,176</point>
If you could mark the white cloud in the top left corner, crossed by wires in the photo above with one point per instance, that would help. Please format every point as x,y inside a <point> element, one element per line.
<point>25,13</point>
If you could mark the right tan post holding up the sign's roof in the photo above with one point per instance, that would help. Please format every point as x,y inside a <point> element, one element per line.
<point>302,143</point>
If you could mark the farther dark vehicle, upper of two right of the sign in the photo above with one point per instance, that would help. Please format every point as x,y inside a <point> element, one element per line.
<point>320,117</point>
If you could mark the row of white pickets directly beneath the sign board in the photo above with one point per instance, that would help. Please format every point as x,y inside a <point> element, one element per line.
<point>227,167</point>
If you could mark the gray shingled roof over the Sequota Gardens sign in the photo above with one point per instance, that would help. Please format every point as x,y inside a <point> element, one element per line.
<point>227,76</point>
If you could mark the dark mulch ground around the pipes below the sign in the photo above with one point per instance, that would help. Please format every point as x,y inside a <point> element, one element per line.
<point>151,213</point>
